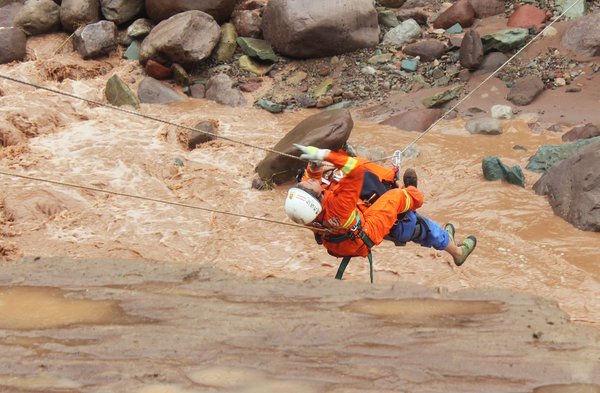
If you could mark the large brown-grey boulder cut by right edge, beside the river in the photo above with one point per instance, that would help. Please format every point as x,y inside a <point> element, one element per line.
<point>573,188</point>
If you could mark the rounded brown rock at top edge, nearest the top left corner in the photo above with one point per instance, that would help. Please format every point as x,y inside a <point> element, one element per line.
<point>38,17</point>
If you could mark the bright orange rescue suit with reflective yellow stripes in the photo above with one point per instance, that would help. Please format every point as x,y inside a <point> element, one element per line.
<point>340,213</point>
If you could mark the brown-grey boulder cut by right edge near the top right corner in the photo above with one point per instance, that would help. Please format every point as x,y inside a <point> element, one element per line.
<point>583,36</point>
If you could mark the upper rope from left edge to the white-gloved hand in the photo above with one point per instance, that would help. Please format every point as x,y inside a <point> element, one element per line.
<point>99,103</point>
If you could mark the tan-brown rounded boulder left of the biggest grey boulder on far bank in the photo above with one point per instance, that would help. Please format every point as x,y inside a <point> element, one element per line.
<point>186,38</point>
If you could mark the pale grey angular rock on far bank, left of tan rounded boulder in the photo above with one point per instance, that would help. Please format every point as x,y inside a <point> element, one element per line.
<point>96,39</point>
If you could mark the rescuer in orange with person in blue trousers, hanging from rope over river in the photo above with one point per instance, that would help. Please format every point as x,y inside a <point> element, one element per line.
<point>353,221</point>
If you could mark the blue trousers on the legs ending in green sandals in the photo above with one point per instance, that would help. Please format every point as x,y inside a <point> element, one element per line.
<point>432,234</point>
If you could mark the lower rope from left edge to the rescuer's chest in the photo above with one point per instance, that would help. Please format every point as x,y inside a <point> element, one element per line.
<point>143,198</point>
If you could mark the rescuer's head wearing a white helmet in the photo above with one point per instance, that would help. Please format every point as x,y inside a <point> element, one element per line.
<point>303,202</point>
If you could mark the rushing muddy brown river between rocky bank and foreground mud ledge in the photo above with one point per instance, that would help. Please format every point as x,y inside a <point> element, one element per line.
<point>522,245</point>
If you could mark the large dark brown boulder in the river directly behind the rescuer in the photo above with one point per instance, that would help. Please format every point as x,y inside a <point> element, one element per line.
<point>327,130</point>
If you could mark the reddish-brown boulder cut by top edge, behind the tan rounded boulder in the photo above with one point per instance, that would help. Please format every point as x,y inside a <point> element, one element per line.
<point>159,10</point>
